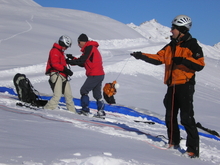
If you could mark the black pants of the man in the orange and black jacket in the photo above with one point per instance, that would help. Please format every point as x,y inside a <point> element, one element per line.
<point>181,97</point>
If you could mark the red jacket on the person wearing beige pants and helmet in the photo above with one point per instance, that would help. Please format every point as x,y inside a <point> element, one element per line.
<point>56,61</point>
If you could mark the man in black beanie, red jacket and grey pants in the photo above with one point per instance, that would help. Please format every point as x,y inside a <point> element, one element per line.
<point>91,59</point>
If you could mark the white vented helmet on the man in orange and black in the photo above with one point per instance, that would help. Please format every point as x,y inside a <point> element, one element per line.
<point>182,20</point>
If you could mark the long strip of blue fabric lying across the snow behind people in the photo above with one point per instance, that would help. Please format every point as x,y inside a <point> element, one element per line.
<point>111,108</point>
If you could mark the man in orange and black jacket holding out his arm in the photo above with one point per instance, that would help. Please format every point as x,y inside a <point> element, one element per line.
<point>182,58</point>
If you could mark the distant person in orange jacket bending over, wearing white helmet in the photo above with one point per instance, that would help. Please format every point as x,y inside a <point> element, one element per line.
<point>109,91</point>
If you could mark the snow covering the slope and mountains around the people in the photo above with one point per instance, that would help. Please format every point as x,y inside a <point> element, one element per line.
<point>27,32</point>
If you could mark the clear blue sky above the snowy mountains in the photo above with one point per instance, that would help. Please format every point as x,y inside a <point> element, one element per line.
<point>204,13</point>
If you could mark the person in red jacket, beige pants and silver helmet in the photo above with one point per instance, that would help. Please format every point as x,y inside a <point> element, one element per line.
<point>57,70</point>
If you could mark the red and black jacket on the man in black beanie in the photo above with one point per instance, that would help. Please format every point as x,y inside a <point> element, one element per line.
<point>91,59</point>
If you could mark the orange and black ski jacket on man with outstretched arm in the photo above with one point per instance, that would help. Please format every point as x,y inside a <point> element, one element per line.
<point>193,60</point>
